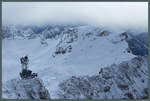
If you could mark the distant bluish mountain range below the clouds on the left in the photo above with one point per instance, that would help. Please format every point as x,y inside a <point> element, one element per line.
<point>32,31</point>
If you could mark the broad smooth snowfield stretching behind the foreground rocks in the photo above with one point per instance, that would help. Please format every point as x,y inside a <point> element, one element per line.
<point>88,55</point>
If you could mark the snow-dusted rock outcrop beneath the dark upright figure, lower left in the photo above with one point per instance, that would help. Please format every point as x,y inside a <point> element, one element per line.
<point>25,89</point>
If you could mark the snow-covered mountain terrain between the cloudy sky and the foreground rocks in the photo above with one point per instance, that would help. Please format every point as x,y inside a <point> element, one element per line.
<point>58,52</point>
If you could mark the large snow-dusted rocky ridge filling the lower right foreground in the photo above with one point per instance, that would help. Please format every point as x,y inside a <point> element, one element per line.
<point>127,80</point>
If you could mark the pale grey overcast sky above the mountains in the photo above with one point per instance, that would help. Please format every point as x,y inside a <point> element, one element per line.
<point>97,13</point>
